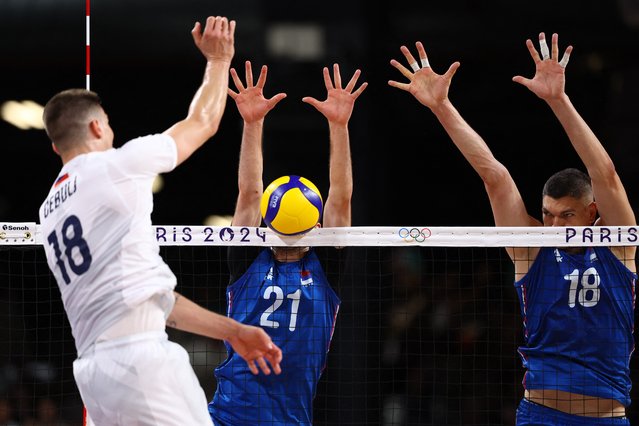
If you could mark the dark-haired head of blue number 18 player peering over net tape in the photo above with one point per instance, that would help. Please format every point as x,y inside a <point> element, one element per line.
<point>567,199</point>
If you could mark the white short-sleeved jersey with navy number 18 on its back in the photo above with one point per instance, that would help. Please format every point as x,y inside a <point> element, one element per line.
<point>98,239</point>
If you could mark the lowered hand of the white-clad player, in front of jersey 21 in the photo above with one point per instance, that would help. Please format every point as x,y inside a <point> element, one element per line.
<point>256,347</point>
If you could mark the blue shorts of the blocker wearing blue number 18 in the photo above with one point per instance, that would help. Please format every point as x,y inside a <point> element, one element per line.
<point>532,414</point>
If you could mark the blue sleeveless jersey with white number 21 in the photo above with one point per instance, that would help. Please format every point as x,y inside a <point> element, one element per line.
<point>294,303</point>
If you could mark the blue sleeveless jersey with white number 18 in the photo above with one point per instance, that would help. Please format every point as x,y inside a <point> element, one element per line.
<point>578,312</point>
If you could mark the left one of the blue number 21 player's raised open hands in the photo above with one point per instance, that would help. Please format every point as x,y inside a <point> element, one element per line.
<point>250,100</point>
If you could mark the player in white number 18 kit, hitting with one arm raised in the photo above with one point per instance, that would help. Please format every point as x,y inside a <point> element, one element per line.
<point>116,289</point>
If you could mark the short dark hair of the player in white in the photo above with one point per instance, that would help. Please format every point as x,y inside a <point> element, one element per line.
<point>67,115</point>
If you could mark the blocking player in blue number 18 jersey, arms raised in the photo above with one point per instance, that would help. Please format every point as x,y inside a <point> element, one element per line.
<point>577,303</point>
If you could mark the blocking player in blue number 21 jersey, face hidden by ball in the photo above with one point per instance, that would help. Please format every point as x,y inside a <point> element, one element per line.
<point>285,290</point>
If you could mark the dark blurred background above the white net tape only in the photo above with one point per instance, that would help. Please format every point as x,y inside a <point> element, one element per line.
<point>146,68</point>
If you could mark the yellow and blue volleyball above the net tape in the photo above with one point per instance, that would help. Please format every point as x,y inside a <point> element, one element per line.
<point>291,205</point>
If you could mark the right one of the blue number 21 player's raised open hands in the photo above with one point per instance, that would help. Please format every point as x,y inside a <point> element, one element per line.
<point>338,106</point>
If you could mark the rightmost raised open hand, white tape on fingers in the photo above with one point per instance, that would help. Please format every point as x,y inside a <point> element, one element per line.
<point>549,81</point>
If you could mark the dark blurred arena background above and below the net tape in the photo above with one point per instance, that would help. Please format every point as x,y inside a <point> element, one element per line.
<point>421,335</point>
